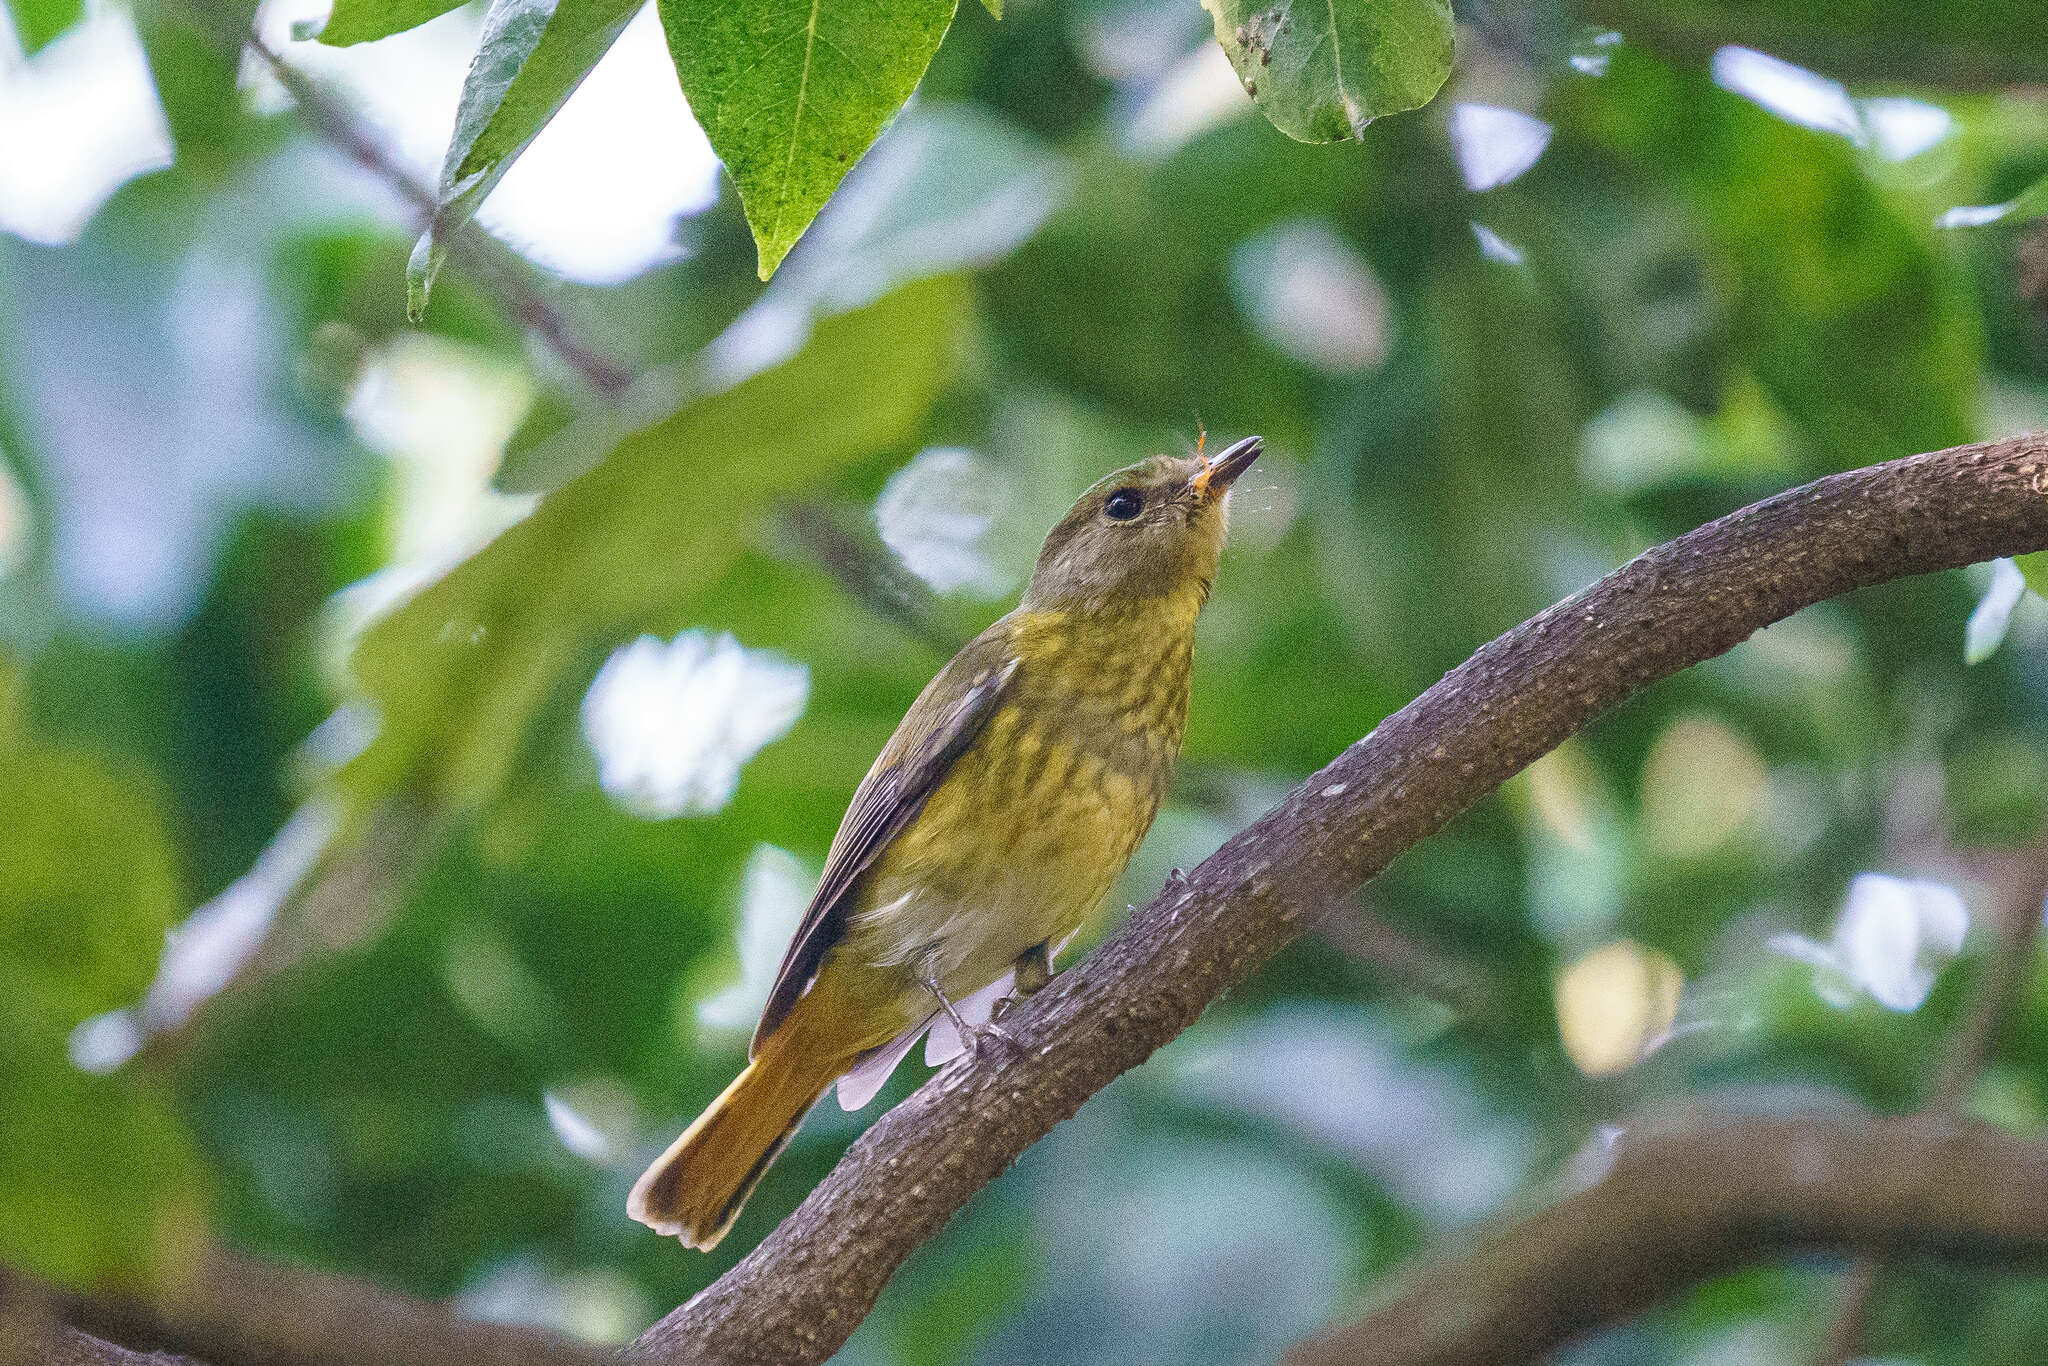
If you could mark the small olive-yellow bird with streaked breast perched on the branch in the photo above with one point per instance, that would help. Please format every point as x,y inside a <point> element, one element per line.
<point>992,824</point>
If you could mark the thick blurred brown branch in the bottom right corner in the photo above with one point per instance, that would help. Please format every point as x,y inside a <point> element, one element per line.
<point>1689,1201</point>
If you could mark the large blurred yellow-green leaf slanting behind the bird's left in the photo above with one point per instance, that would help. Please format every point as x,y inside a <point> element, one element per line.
<point>460,671</point>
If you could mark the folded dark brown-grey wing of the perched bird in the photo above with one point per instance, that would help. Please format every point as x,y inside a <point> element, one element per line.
<point>916,759</point>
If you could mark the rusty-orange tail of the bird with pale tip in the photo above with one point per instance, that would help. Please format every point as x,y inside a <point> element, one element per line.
<point>697,1187</point>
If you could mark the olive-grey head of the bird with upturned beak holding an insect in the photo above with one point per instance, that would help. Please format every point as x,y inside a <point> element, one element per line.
<point>1150,531</point>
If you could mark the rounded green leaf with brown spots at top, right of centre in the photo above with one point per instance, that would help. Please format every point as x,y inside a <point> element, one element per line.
<point>1322,73</point>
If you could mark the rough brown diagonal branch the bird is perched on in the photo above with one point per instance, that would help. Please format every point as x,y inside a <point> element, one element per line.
<point>804,1289</point>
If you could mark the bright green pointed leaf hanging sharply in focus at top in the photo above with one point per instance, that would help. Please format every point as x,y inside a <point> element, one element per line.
<point>792,93</point>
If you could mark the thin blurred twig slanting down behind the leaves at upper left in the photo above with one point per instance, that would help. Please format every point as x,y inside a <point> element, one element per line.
<point>476,249</point>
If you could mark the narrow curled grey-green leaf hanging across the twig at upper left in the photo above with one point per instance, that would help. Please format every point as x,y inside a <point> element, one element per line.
<point>529,62</point>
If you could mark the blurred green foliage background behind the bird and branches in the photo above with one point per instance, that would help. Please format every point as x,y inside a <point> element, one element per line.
<point>267,552</point>
